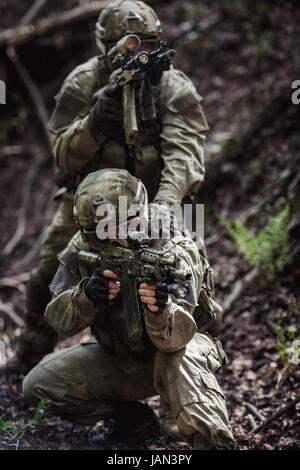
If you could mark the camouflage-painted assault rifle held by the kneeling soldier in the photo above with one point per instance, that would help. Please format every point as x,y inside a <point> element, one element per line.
<point>133,267</point>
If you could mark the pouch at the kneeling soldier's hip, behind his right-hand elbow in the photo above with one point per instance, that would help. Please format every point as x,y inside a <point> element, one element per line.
<point>208,314</point>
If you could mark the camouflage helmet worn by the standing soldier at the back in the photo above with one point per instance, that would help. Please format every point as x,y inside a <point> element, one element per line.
<point>124,16</point>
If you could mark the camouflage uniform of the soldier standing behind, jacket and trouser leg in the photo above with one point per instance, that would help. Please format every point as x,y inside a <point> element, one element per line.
<point>168,159</point>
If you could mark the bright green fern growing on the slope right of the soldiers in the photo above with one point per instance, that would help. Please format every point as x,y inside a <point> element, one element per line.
<point>267,250</point>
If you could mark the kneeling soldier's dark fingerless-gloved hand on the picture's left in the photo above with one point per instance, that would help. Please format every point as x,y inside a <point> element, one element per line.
<point>99,288</point>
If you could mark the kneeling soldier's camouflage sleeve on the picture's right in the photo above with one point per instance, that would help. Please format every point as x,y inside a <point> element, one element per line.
<point>174,328</point>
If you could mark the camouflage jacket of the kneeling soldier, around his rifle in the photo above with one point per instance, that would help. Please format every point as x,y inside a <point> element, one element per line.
<point>70,311</point>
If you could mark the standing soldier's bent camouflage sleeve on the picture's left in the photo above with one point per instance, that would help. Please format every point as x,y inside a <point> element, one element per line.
<point>73,143</point>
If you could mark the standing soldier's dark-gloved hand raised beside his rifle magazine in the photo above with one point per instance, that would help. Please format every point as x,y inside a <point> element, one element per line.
<point>107,109</point>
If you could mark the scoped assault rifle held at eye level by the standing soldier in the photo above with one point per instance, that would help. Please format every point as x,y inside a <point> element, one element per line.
<point>143,68</point>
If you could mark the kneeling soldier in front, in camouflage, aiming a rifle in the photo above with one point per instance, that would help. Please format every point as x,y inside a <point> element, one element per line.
<point>175,355</point>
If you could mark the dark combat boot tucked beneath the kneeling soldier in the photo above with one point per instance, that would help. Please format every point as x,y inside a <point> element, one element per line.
<point>135,422</point>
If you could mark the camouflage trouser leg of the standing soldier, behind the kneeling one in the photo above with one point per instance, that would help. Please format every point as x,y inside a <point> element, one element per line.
<point>37,337</point>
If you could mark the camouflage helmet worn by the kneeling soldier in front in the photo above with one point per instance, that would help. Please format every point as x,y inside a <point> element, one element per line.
<point>104,188</point>
